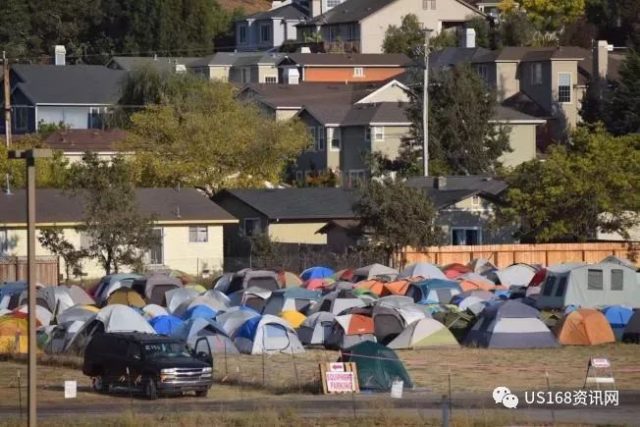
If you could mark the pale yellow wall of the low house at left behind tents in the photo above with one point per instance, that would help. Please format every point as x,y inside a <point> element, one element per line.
<point>178,252</point>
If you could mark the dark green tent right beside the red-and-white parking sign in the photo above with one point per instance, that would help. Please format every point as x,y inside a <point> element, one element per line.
<point>378,366</point>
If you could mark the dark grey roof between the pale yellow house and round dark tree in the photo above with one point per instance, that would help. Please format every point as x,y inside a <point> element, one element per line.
<point>298,203</point>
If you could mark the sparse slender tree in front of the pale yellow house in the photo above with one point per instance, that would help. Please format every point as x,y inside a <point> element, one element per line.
<point>119,235</point>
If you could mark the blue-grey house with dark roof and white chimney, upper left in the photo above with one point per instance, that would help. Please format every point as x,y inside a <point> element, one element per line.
<point>79,96</point>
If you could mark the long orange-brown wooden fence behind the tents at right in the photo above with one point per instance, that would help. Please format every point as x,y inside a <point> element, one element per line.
<point>505,255</point>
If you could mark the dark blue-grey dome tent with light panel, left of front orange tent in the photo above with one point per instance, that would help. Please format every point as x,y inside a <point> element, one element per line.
<point>510,324</point>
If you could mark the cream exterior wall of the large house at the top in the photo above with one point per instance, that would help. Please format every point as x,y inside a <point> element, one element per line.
<point>373,27</point>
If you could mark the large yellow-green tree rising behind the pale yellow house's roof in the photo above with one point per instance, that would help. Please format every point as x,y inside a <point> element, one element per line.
<point>202,136</point>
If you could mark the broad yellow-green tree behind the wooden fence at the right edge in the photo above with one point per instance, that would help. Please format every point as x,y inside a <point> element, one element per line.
<point>588,185</point>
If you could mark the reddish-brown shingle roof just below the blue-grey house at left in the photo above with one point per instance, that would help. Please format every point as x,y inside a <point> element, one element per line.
<point>83,140</point>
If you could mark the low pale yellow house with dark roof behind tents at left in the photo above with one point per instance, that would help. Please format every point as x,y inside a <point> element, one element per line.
<point>189,225</point>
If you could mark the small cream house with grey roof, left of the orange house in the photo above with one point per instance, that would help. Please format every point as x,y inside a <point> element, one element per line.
<point>239,67</point>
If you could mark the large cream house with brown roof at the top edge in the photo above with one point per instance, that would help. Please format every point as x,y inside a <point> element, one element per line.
<point>360,25</point>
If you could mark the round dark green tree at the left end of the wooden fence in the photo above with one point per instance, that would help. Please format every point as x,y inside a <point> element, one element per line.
<point>394,216</point>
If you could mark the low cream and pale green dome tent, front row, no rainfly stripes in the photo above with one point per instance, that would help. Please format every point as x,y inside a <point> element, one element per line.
<point>424,333</point>
